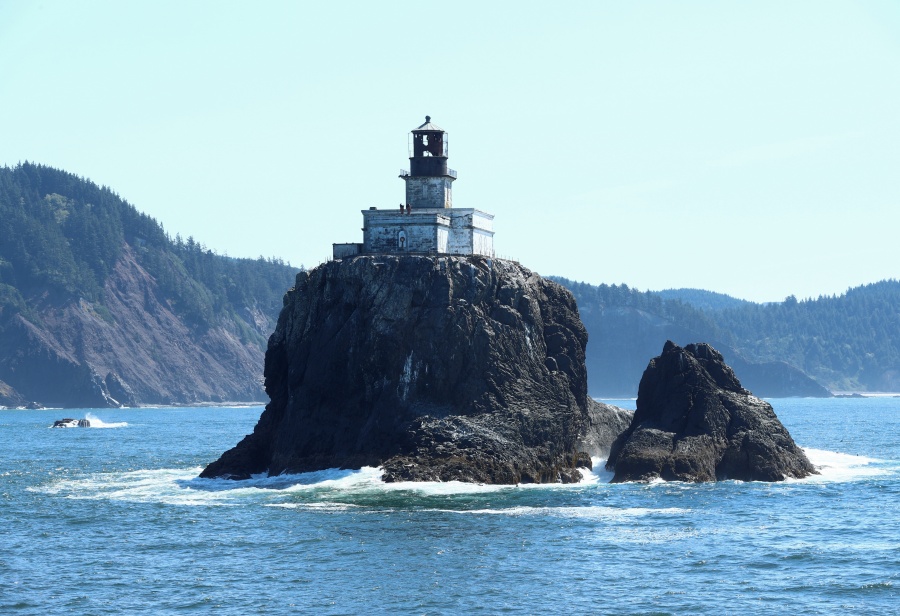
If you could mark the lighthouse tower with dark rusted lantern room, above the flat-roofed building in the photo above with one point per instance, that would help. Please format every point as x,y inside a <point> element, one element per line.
<point>429,181</point>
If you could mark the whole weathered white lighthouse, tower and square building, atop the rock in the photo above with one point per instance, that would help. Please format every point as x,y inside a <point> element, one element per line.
<point>426,221</point>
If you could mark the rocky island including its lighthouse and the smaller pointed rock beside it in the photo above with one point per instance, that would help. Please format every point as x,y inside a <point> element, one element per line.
<point>418,352</point>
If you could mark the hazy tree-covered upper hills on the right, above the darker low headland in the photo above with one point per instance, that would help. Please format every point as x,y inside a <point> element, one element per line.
<point>846,342</point>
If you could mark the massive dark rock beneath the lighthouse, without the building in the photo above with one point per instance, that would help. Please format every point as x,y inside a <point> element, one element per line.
<point>436,368</point>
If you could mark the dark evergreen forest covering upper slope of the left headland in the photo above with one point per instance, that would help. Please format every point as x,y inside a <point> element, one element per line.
<point>61,236</point>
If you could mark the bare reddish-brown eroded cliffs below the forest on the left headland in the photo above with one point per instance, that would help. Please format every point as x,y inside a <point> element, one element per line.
<point>137,352</point>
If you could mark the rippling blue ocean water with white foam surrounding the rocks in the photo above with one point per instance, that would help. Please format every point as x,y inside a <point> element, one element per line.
<point>113,520</point>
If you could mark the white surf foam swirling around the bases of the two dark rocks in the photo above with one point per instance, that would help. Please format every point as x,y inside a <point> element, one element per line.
<point>339,490</point>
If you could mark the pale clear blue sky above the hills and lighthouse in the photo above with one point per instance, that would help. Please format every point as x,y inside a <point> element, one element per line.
<point>747,148</point>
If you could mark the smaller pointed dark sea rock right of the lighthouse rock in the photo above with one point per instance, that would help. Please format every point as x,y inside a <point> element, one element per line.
<point>695,422</point>
